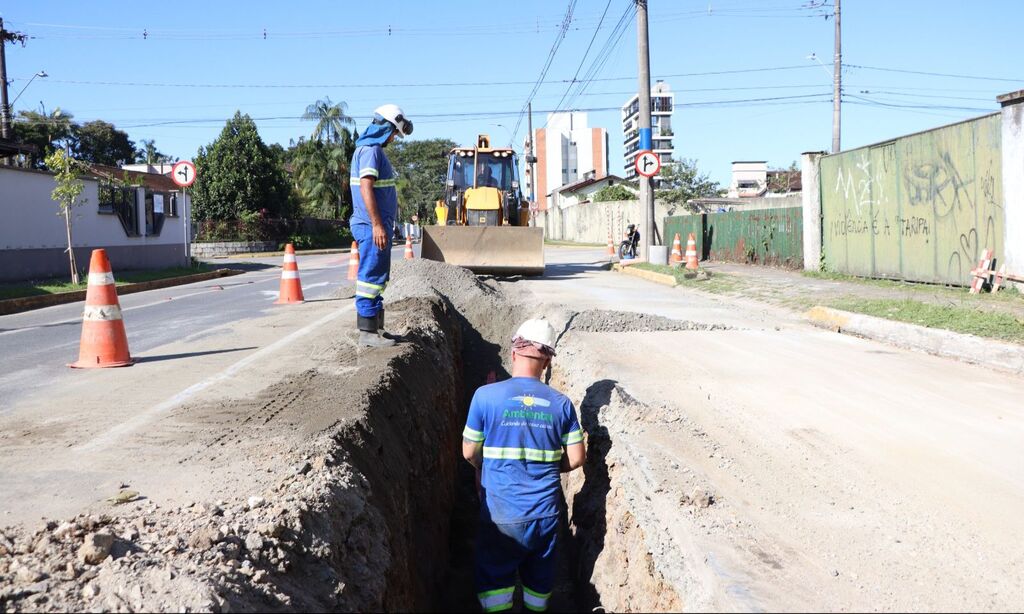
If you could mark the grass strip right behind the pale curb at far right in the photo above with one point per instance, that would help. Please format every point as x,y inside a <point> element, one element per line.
<point>1004,327</point>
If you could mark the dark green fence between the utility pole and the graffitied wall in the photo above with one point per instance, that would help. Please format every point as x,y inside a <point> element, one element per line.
<point>774,237</point>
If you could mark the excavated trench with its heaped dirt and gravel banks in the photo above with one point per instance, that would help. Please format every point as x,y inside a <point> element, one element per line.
<point>379,511</point>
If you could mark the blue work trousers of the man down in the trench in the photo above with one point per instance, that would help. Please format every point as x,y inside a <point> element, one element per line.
<point>503,550</point>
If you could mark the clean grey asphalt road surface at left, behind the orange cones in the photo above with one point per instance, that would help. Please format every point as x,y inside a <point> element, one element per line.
<point>36,346</point>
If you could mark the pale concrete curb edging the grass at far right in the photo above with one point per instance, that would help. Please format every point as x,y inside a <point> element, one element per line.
<point>969,348</point>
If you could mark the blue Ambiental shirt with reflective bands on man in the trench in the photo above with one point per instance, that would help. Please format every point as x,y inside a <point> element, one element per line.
<point>524,425</point>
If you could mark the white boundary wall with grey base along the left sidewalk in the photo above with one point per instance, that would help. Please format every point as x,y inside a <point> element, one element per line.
<point>33,240</point>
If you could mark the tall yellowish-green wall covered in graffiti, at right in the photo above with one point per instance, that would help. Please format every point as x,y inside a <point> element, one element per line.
<point>920,208</point>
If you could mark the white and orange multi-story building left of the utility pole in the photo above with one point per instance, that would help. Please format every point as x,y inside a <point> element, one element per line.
<point>567,151</point>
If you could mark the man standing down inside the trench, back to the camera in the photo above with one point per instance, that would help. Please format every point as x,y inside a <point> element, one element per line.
<point>521,434</point>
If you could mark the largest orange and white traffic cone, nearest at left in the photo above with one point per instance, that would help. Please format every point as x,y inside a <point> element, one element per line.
<point>104,340</point>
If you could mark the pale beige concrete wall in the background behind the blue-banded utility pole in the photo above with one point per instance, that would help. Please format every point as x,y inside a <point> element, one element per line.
<point>591,223</point>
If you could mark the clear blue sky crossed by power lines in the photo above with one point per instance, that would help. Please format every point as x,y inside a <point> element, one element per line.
<point>459,68</point>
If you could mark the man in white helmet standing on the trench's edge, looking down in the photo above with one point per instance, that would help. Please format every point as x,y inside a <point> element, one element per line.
<point>375,207</point>
